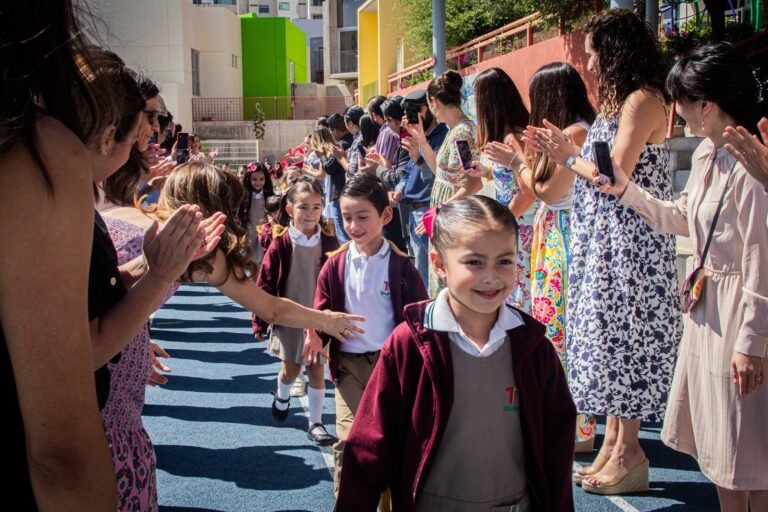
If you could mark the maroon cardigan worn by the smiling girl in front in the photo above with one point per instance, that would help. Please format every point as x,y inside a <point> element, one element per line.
<point>405,409</point>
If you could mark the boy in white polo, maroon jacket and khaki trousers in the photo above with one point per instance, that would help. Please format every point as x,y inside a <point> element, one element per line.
<point>368,276</point>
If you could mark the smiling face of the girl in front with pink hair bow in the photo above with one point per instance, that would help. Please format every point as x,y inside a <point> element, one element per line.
<point>480,272</point>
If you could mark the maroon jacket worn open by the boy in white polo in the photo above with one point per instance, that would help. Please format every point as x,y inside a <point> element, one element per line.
<point>330,291</point>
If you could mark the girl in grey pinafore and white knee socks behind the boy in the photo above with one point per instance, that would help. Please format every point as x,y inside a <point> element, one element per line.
<point>290,269</point>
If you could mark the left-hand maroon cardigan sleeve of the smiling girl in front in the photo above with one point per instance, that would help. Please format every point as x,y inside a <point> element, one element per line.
<point>369,452</point>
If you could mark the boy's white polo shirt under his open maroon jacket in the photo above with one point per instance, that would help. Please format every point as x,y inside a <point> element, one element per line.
<point>367,293</point>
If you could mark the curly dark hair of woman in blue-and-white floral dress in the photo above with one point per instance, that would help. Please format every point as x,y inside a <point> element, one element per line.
<point>628,57</point>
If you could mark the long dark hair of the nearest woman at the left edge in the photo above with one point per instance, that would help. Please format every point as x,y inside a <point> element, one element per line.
<point>44,65</point>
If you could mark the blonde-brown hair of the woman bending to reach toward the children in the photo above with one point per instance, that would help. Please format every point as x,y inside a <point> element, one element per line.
<point>213,190</point>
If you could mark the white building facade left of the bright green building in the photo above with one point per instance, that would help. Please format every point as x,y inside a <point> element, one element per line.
<point>189,49</point>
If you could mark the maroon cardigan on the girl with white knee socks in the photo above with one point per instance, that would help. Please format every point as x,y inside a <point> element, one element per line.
<point>275,267</point>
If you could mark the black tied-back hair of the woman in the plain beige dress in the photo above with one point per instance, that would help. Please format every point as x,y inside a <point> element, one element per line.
<point>720,73</point>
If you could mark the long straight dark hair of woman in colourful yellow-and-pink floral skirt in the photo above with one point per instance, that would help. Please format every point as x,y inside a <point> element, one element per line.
<point>558,94</point>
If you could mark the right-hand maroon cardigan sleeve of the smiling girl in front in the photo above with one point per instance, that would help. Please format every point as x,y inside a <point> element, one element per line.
<point>559,416</point>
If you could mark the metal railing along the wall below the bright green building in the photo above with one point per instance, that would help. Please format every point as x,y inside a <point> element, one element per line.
<point>274,107</point>
